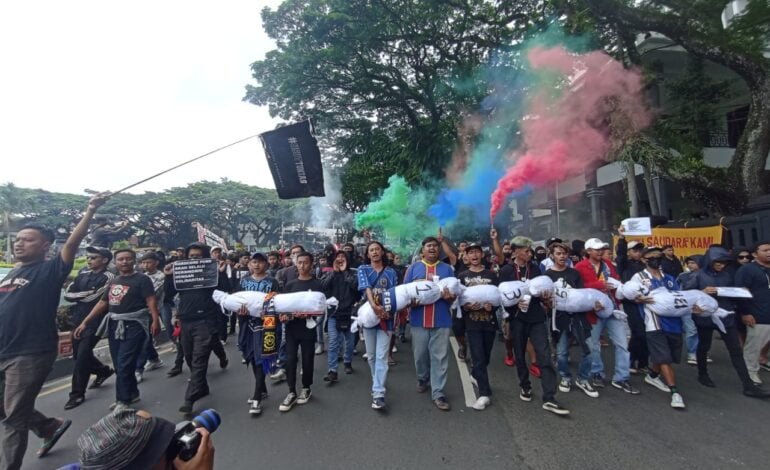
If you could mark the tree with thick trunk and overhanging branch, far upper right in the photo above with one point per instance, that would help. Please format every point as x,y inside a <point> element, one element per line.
<point>696,25</point>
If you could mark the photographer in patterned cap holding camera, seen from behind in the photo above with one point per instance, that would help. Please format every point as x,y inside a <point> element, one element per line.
<point>136,440</point>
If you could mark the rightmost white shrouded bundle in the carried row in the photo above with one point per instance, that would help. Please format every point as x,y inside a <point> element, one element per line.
<point>680,303</point>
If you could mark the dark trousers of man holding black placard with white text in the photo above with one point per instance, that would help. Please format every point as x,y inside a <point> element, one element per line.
<point>197,340</point>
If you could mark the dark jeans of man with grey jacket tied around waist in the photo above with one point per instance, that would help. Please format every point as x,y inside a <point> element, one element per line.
<point>124,354</point>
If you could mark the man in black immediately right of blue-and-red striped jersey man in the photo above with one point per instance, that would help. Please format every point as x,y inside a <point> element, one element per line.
<point>480,323</point>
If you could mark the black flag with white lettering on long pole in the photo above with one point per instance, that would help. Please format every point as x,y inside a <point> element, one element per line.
<point>295,161</point>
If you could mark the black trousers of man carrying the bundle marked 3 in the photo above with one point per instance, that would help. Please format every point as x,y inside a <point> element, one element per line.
<point>537,333</point>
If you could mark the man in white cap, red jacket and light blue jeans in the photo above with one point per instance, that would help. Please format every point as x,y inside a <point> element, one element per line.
<point>595,272</point>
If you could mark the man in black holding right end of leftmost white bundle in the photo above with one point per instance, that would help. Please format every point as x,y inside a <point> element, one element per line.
<point>300,333</point>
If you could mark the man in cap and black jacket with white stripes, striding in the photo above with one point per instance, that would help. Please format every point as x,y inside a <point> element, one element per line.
<point>85,291</point>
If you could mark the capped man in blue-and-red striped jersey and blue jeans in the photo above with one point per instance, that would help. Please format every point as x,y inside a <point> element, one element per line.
<point>431,325</point>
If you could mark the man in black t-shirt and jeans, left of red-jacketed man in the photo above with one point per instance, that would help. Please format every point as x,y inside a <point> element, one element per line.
<point>574,325</point>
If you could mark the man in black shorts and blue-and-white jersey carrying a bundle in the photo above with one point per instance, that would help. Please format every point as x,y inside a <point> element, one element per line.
<point>664,334</point>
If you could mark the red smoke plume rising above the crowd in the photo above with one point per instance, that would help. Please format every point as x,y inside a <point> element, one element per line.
<point>562,139</point>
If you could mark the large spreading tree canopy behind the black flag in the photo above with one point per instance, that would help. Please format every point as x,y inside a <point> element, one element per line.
<point>383,79</point>
